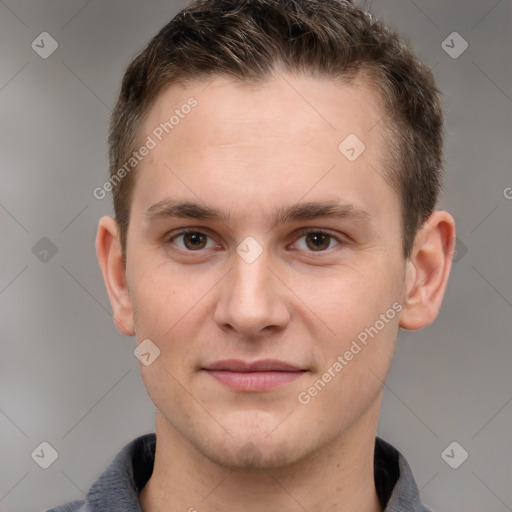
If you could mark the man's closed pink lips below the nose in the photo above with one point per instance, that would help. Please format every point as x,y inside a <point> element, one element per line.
<point>257,376</point>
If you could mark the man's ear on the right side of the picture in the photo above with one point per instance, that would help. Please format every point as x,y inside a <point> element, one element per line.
<point>427,271</point>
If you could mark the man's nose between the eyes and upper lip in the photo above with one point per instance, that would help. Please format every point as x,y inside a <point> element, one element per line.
<point>253,300</point>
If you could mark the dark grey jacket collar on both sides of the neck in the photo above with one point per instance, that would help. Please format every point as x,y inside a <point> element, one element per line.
<point>117,488</point>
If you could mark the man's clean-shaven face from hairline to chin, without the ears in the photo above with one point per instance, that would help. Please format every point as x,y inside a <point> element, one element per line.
<point>275,321</point>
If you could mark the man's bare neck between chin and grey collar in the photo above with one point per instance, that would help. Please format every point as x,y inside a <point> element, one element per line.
<point>337,478</point>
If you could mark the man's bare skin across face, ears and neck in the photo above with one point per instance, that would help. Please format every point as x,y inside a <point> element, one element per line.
<point>248,151</point>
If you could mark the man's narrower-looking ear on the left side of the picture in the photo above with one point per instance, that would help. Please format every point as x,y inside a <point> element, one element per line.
<point>110,258</point>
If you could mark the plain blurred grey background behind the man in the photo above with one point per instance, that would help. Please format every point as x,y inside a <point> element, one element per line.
<point>69,378</point>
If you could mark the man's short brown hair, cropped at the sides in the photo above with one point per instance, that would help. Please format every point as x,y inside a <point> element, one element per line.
<point>248,40</point>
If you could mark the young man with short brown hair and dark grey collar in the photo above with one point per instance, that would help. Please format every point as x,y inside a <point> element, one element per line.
<point>275,166</point>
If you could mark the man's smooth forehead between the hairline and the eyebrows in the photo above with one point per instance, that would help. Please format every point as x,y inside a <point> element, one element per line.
<point>283,139</point>
